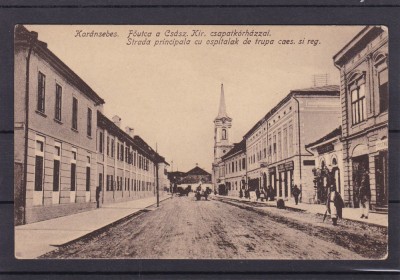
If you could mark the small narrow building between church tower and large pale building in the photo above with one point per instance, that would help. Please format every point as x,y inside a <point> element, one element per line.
<point>234,163</point>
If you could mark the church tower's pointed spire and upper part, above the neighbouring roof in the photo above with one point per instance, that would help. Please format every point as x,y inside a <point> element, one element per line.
<point>222,127</point>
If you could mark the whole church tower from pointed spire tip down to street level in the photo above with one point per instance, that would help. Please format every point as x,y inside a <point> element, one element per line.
<point>222,142</point>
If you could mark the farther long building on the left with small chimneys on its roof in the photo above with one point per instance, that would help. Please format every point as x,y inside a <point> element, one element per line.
<point>126,165</point>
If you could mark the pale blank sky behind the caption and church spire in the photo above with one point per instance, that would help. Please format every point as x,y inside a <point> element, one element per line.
<point>170,94</point>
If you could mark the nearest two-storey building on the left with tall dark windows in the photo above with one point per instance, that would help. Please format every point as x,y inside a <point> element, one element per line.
<point>55,134</point>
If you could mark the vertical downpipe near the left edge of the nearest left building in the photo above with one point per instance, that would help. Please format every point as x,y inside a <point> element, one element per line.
<point>31,41</point>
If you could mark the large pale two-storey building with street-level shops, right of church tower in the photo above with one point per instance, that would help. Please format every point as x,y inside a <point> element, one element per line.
<point>275,146</point>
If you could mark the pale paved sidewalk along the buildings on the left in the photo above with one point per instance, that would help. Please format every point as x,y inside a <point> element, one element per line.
<point>36,239</point>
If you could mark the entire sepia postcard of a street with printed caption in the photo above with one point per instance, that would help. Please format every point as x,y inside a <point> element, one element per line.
<point>204,142</point>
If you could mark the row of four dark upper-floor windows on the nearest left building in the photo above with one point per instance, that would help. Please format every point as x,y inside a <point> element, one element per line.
<point>41,105</point>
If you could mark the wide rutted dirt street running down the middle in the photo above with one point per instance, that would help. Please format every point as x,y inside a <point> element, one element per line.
<point>183,228</point>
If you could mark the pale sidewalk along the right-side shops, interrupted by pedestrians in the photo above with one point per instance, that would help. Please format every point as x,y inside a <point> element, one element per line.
<point>348,213</point>
